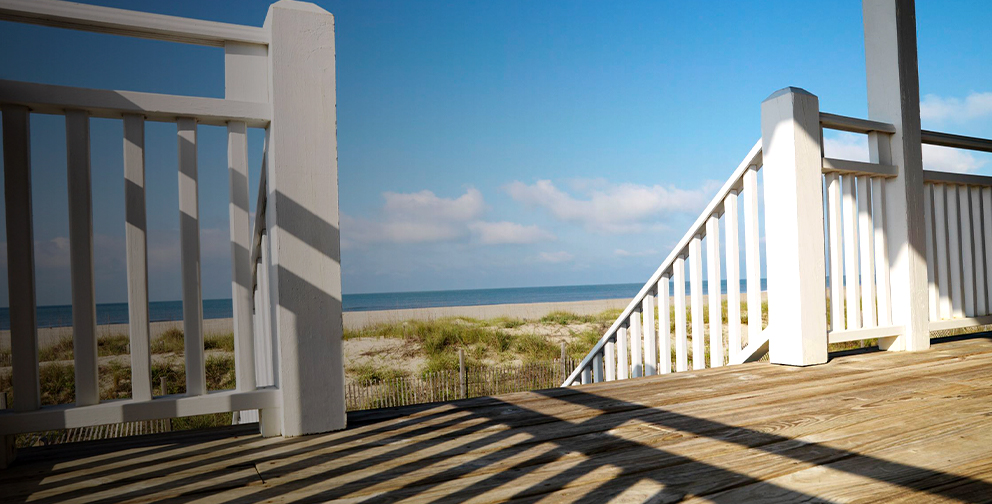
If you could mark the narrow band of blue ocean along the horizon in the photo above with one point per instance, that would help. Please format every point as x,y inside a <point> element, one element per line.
<point>158,311</point>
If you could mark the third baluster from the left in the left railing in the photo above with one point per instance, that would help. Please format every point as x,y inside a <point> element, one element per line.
<point>135,237</point>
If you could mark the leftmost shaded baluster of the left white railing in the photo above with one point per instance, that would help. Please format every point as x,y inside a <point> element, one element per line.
<point>20,258</point>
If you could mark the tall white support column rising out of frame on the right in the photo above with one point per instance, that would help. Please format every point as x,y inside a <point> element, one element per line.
<point>894,97</point>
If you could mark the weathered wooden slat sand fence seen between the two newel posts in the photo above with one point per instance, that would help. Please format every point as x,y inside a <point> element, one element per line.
<point>449,385</point>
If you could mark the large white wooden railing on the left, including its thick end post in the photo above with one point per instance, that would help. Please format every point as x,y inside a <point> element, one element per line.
<point>287,326</point>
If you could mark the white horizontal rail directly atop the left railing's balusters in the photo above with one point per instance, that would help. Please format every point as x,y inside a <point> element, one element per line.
<point>51,99</point>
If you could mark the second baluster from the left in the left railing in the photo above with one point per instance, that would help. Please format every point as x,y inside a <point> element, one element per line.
<point>84,346</point>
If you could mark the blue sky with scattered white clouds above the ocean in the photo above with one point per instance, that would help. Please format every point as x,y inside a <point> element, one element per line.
<point>493,144</point>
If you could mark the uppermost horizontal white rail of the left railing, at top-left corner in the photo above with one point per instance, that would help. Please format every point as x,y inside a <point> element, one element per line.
<point>99,19</point>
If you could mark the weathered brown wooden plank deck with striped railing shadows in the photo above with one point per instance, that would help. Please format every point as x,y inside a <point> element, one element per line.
<point>876,426</point>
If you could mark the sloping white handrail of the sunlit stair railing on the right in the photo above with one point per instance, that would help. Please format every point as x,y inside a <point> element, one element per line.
<point>715,206</point>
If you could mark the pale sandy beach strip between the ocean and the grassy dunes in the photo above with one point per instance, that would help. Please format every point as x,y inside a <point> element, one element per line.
<point>354,320</point>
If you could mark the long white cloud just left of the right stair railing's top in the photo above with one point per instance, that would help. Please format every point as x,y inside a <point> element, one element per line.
<point>610,208</point>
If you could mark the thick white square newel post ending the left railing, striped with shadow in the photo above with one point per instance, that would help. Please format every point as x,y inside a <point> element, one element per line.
<point>302,218</point>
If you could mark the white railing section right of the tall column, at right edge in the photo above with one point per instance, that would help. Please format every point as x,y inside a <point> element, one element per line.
<point>958,220</point>
